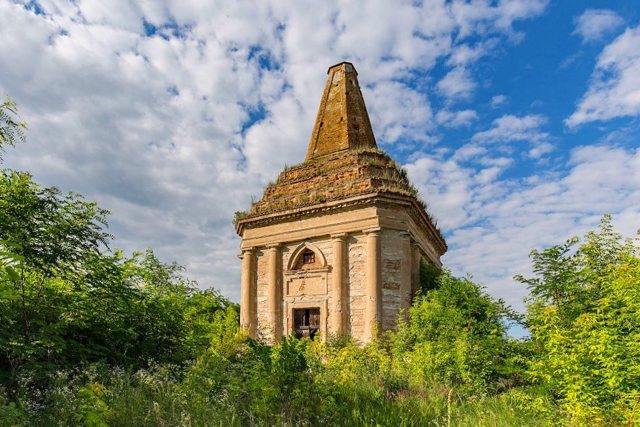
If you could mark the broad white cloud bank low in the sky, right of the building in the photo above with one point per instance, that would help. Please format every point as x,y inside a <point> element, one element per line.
<point>492,223</point>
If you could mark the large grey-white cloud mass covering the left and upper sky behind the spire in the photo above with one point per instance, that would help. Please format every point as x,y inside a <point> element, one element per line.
<point>174,114</point>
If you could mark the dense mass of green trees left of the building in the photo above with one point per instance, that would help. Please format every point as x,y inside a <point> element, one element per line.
<point>68,301</point>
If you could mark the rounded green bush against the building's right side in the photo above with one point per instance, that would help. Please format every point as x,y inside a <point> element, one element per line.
<point>455,338</point>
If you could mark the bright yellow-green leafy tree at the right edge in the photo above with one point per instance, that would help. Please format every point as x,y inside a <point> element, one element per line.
<point>584,316</point>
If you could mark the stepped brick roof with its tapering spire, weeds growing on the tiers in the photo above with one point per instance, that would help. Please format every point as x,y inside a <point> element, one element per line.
<point>343,165</point>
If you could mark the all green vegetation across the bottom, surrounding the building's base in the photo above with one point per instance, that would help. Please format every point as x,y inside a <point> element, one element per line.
<point>91,337</point>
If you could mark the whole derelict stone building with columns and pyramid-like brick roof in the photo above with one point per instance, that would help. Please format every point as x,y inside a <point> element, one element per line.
<point>335,245</point>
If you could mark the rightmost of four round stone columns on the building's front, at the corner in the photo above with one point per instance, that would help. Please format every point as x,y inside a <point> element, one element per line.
<point>373,312</point>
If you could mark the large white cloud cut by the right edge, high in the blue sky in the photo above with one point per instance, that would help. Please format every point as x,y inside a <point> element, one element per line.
<point>614,90</point>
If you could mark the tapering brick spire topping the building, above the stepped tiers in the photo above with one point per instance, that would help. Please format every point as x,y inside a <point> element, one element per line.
<point>342,122</point>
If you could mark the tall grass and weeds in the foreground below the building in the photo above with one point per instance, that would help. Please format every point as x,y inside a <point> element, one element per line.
<point>256,385</point>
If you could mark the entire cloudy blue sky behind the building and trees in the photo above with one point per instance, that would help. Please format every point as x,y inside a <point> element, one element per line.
<point>517,120</point>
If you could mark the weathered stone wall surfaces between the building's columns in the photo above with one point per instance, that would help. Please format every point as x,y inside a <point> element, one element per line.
<point>313,287</point>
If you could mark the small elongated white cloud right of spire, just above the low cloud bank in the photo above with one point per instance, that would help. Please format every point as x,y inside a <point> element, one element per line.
<point>513,128</point>
